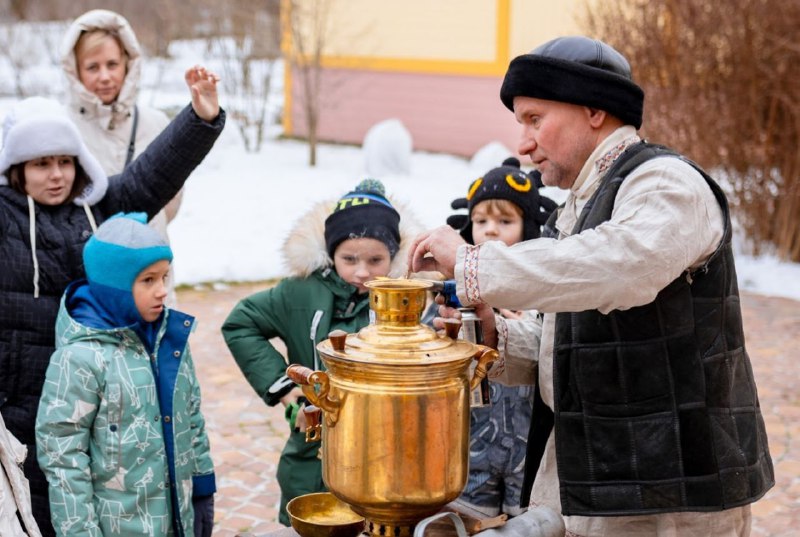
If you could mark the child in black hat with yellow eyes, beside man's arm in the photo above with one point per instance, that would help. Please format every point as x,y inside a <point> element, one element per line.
<point>503,205</point>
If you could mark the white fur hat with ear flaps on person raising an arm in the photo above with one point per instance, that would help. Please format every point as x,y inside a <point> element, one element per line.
<point>39,127</point>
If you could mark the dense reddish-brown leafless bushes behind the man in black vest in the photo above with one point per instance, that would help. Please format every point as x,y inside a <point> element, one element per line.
<point>723,86</point>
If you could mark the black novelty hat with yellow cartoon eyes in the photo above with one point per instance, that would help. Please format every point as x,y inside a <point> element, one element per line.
<point>507,182</point>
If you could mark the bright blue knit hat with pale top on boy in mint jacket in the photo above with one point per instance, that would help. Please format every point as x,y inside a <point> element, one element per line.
<point>122,247</point>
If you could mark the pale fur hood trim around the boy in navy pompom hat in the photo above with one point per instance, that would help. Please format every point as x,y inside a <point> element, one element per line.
<point>304,249</point>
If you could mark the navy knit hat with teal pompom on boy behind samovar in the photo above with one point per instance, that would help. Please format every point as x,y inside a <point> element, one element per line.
<point>363,213</point>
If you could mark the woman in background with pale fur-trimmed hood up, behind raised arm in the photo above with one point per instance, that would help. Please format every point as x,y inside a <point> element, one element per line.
<point>102,61</point>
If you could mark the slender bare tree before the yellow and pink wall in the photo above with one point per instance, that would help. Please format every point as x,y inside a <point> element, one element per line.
<point>308,23</point>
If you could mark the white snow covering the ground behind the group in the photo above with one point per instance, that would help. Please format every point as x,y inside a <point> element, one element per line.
<point>238,206</point>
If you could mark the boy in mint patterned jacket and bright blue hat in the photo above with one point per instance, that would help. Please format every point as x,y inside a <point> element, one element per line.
<point>119,432</point>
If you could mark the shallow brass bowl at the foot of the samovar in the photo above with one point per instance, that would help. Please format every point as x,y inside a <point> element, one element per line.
<point>323,515</point>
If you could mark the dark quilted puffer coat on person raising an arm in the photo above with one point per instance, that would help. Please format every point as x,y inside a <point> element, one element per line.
<point>27,323</point>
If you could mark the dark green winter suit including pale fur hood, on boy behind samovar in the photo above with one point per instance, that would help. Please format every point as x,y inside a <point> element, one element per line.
<point>301,311</point>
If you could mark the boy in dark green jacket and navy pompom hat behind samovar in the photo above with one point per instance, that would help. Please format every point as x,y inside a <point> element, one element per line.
<point>331,255</point>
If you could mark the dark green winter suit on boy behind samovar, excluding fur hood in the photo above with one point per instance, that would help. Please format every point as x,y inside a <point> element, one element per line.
<point>301,312</point>
